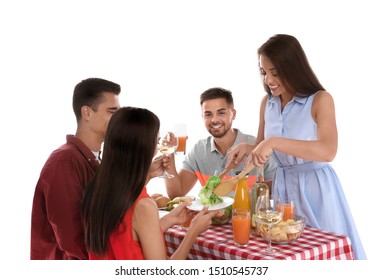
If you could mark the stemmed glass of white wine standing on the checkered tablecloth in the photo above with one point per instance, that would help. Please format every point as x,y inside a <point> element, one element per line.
<point>268,211</point>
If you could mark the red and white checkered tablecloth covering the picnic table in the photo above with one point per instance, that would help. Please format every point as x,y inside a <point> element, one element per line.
<point>313,244</point>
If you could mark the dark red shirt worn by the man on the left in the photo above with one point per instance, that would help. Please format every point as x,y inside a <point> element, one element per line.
<point>57,229</point>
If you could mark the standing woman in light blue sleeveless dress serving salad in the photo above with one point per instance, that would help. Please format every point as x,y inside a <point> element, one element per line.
<point>298,129</point>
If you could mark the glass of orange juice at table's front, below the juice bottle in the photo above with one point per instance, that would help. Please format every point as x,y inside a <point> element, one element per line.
<point>241,227</point>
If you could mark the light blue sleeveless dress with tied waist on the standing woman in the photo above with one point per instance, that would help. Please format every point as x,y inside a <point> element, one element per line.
<point>314,186</point>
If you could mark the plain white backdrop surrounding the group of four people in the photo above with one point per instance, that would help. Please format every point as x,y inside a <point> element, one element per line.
<point>164,54</point>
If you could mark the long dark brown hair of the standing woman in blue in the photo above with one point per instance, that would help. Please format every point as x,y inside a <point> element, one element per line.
<point>290,61</point>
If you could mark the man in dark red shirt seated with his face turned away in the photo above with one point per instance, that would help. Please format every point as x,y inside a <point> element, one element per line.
<point>57,227</point>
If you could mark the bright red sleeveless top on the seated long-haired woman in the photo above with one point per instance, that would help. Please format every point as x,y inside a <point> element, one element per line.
<point>122,246</point>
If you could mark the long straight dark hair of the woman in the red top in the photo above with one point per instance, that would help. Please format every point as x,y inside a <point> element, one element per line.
<point>129,147</point>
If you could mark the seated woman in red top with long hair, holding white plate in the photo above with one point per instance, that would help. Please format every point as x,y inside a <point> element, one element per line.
<point>121,220</point>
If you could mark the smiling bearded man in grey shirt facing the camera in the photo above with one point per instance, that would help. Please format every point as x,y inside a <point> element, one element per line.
<point>210,154</point>
